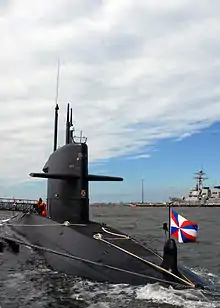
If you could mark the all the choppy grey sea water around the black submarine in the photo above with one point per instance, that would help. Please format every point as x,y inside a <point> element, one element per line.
<point>25,280</point>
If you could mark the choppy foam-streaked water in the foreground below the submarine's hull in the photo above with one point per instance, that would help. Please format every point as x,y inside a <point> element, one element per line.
<point>32,284</point>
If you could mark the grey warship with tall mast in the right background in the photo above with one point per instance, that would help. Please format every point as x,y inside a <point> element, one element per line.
<point>200,194</point>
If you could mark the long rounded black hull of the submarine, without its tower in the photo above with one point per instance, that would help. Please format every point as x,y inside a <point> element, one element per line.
<point>124,259</point>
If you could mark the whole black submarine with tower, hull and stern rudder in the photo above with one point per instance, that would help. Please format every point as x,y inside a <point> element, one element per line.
<point>73,244</point>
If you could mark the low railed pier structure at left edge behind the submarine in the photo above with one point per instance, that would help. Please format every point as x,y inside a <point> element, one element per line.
<point>11,204</point>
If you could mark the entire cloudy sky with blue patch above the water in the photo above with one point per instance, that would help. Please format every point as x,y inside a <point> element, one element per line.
<point>143,80</point>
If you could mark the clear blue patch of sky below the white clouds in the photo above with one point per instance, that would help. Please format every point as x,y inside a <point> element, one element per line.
<point>167,172</point>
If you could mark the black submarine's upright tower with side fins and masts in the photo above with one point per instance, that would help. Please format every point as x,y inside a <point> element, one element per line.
<point>67,174</point>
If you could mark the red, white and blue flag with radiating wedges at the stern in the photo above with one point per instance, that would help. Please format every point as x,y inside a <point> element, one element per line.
<point>182,229</point>
